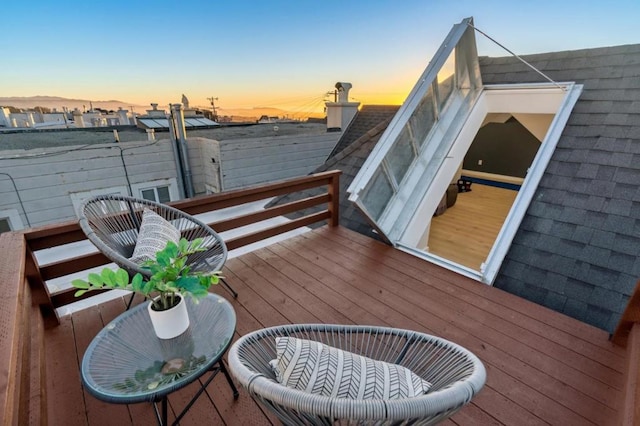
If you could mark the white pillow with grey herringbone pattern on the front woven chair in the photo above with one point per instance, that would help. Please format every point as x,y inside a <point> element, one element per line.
<point>324,370</point>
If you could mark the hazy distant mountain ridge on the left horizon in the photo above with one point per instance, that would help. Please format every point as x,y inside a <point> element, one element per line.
<point>59,102</point>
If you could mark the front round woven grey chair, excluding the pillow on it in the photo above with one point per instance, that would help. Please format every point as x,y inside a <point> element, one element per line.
<point>455,373</point>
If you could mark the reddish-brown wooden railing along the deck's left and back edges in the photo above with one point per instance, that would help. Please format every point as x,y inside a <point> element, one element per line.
<point>27,307</point>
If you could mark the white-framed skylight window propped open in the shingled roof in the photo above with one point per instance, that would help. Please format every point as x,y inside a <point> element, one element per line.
<point>404,180</point>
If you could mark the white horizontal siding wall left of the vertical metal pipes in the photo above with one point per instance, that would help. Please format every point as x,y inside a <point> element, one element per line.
<point>45,182</point>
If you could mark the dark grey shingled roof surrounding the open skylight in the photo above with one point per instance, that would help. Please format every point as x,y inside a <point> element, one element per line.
<point>577,249</point>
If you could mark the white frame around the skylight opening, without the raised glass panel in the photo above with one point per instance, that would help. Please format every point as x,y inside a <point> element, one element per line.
<point>541,98</point>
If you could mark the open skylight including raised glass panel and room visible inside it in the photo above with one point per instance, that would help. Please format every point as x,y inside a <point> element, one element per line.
<point>453,128</point>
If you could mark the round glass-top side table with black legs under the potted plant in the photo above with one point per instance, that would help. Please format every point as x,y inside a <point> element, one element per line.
<point>126,363</point>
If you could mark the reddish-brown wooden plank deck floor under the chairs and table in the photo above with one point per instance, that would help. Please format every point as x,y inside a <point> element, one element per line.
<point>542,367</point>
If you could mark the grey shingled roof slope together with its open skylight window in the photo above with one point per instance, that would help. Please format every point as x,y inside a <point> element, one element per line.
<point>570,236</point>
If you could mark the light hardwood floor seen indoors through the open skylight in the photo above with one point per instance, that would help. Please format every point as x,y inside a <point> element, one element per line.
<point>466,232</point>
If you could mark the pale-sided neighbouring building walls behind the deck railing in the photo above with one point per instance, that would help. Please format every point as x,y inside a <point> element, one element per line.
<point>46,185</point>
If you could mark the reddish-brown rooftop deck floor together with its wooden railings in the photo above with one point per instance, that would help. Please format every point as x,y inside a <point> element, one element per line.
<point>542,366</point>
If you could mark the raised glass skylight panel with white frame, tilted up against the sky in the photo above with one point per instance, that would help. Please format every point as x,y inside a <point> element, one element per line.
<point>398,172</point>
